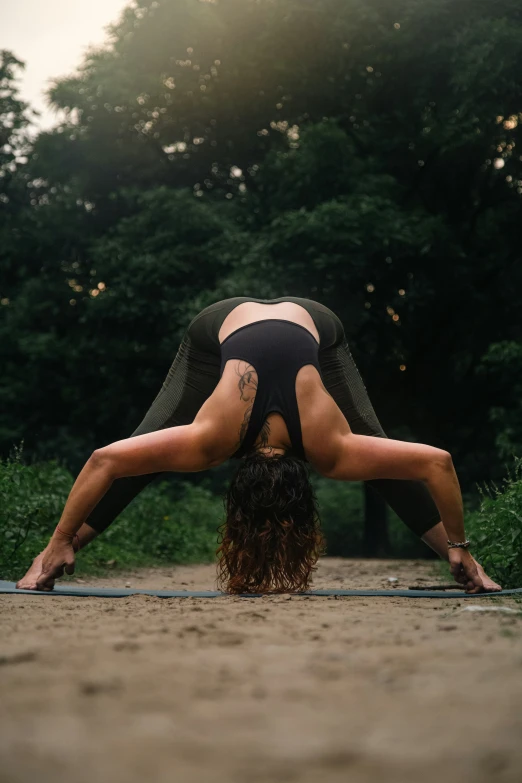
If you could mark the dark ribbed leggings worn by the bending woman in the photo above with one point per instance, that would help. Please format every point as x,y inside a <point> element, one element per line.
<point>194,375</point>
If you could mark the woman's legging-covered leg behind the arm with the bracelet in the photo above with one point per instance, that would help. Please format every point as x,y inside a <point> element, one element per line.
<point>410,500</point>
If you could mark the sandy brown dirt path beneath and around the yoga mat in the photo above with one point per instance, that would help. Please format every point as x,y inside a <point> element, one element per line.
<point>261,690</point>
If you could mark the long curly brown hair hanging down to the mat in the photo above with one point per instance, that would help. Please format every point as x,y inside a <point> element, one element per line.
<point>271,539</point>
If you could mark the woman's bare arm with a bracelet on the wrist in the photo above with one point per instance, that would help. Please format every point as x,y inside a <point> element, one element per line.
<point>363,457</point>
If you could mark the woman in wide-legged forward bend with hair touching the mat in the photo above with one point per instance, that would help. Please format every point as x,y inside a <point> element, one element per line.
<point>272,383</point>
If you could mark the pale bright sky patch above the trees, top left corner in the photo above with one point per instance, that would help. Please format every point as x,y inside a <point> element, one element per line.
<point>51,36</point>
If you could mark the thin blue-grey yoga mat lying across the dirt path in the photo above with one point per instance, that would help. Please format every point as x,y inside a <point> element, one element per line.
<point>121,592</point>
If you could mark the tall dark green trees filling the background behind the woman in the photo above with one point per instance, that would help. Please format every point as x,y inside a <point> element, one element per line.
<point>364,154</point>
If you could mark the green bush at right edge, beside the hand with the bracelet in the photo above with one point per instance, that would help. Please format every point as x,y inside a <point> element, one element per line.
<point>495,529</point>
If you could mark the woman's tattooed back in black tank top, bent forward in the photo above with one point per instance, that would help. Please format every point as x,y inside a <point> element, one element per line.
<point>300,414</point>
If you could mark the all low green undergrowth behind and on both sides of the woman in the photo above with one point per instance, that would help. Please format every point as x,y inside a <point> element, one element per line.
<point>177,523</point>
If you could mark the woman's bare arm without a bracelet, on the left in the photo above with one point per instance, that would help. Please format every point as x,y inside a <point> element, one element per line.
<point>186,448</point>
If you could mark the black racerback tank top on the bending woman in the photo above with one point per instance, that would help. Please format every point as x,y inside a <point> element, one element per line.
<point>277,349</point>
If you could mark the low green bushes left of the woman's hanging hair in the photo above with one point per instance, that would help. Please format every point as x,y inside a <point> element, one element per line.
<point>164,524</point>
